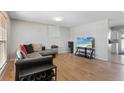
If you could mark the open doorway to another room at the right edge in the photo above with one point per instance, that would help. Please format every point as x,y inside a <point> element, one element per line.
<point>117,46</point>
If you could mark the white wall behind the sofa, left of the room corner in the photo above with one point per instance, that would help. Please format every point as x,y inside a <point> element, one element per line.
<point>29,32</point>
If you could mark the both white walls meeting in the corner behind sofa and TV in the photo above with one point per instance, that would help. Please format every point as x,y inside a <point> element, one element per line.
<point>29,32</point>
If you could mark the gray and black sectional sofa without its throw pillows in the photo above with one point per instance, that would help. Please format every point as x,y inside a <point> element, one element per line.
<point>34,60</point>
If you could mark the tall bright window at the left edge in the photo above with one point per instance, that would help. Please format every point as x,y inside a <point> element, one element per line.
<point>3,39</point>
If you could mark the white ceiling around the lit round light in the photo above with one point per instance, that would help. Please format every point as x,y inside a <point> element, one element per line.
<point>71,18</point>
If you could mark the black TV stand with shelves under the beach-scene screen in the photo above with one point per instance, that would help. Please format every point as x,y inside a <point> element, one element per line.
<point>83,51</point>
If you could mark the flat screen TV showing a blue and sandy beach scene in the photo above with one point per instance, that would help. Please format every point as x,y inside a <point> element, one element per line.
<point>85,42</point>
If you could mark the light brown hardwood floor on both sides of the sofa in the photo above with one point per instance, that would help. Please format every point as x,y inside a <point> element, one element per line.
<point>71,67</point>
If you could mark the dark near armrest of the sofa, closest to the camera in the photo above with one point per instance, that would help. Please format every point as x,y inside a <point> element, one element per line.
<point>30,63</point>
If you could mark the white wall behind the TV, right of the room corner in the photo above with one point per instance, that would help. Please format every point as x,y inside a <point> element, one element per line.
<point>99,30</point>
